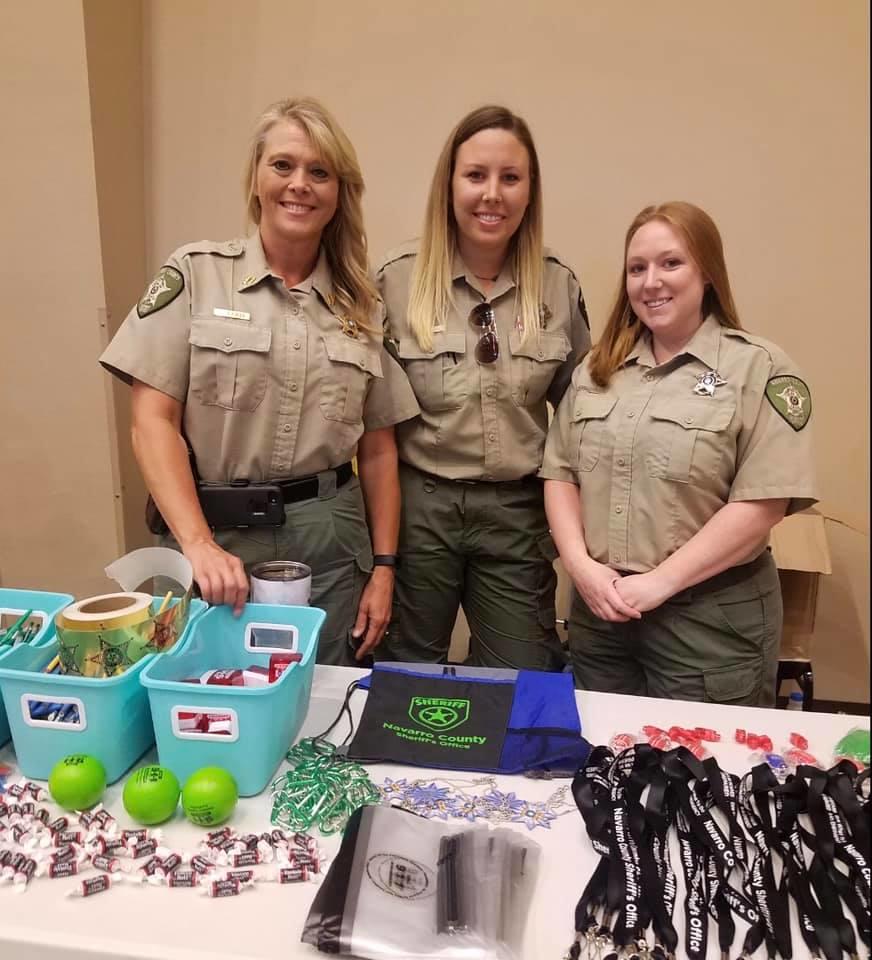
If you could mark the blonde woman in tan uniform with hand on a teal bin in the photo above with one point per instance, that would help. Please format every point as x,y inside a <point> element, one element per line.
<point>266,355</point>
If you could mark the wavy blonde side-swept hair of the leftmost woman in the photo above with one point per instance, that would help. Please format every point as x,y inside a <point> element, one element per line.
<point>344,238</point>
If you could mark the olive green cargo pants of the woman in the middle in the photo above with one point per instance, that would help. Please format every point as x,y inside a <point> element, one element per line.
<point>484,546</point>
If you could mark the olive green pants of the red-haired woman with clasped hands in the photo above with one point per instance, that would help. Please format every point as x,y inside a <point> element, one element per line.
<point>716,642</point>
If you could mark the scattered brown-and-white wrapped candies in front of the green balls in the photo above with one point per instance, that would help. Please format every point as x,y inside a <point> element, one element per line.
<point>33,844</point>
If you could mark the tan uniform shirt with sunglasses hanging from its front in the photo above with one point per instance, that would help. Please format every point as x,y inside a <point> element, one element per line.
<point>484,421</point>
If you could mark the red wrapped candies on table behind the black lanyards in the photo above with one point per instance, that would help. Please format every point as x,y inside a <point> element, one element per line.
<point>783,762</point>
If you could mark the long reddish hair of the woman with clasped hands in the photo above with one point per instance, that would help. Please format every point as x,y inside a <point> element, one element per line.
<point>706,249</point>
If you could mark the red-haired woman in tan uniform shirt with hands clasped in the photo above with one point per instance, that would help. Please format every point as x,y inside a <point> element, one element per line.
<point>681,442</point>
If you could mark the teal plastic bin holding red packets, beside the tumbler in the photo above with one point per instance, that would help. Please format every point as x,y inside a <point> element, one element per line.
<point>258,724</point>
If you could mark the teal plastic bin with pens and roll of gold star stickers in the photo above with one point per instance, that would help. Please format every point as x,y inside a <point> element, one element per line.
<point>113,721</point>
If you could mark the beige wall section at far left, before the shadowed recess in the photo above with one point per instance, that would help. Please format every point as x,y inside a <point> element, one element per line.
<point>58,521</point>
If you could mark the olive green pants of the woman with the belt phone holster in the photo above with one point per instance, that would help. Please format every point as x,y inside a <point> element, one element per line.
<point>328,534</point>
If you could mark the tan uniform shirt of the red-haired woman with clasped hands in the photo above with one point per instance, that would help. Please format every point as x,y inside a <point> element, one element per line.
<point>655,460</point>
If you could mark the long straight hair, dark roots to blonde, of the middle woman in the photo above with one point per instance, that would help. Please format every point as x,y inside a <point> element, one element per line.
<point>431,295</point>
